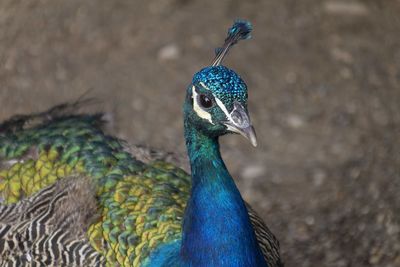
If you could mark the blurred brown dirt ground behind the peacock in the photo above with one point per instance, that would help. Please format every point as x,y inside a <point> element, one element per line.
<point>324,85</point>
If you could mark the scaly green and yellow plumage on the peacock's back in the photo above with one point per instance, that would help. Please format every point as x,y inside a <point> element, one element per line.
<point>140,205</point>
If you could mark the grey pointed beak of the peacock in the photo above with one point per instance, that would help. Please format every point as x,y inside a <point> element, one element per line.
<point>239,122</point>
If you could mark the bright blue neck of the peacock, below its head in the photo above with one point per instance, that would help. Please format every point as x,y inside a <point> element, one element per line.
<point>216,229</point>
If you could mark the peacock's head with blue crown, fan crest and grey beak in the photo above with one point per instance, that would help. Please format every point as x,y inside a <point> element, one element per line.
<point>216,100</point>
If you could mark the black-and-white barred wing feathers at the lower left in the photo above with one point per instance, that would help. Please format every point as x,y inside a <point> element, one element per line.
<point>46,229</point>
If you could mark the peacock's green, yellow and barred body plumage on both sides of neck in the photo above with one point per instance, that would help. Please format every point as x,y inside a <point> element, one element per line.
<point>130,209</point>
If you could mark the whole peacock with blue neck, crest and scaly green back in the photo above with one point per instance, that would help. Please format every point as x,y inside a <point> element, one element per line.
<point>72,195</point>
